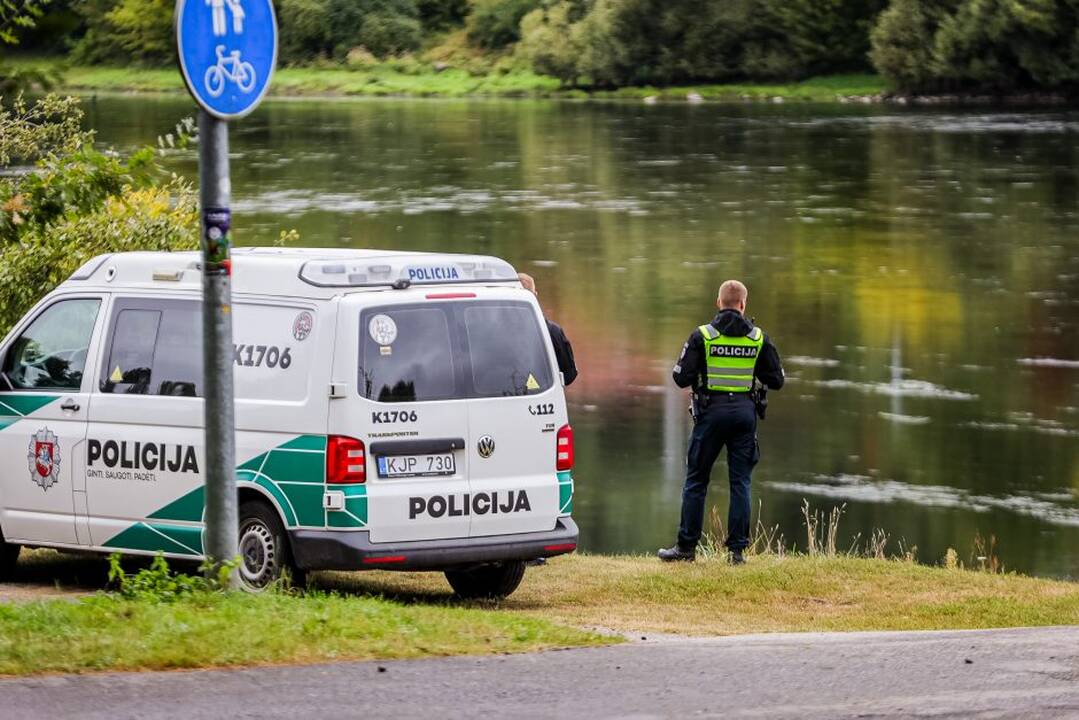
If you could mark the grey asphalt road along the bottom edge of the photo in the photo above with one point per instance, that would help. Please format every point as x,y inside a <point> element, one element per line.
<point>996,674</point>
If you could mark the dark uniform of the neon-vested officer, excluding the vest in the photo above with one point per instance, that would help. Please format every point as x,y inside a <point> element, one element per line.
<point>723,419</point>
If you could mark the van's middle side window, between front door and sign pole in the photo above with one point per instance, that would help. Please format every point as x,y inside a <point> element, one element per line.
<point>154,348</point>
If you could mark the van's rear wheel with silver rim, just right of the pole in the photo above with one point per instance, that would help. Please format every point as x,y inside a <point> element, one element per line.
<point>264,548</point>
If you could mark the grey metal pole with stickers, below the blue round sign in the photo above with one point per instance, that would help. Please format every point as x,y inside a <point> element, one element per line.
<point>222,514</point>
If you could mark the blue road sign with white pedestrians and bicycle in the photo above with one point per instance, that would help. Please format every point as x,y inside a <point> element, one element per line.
<point>228,50</point>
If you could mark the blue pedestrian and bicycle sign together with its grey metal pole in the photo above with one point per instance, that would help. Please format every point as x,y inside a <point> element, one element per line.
<point>227,52</point>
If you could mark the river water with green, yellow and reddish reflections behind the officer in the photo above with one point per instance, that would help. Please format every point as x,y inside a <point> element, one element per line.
<point>920,270</point>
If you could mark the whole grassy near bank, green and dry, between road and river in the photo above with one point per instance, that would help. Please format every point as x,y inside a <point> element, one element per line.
<point>573,602</point>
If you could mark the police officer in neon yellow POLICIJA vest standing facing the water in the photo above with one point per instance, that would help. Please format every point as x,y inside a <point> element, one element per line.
<point>721,361</point>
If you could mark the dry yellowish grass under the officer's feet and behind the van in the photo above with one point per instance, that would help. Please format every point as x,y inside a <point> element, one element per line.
<point>791,593</point>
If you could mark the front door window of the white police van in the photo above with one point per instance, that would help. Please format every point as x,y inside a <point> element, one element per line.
<point>51,354</point>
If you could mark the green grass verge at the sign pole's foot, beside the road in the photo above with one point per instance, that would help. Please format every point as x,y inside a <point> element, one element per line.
<point>211,630</point>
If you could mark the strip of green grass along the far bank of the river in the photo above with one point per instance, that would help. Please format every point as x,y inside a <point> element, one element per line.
<point>394,80</point>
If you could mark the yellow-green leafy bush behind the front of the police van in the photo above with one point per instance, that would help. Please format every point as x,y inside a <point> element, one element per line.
<point>77,202</point>
